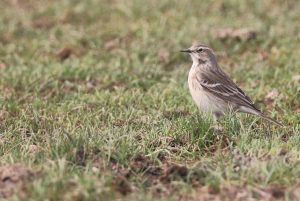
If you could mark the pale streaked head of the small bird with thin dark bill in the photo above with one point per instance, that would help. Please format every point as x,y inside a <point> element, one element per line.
<point>200,53</point>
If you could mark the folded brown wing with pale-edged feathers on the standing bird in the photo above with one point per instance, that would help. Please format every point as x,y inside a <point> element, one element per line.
<point>219,84</point>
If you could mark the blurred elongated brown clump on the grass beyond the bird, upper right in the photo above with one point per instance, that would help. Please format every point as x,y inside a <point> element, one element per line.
<point>236,34</point>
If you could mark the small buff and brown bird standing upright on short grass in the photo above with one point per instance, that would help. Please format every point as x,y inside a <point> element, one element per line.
<point>213,91</point>
